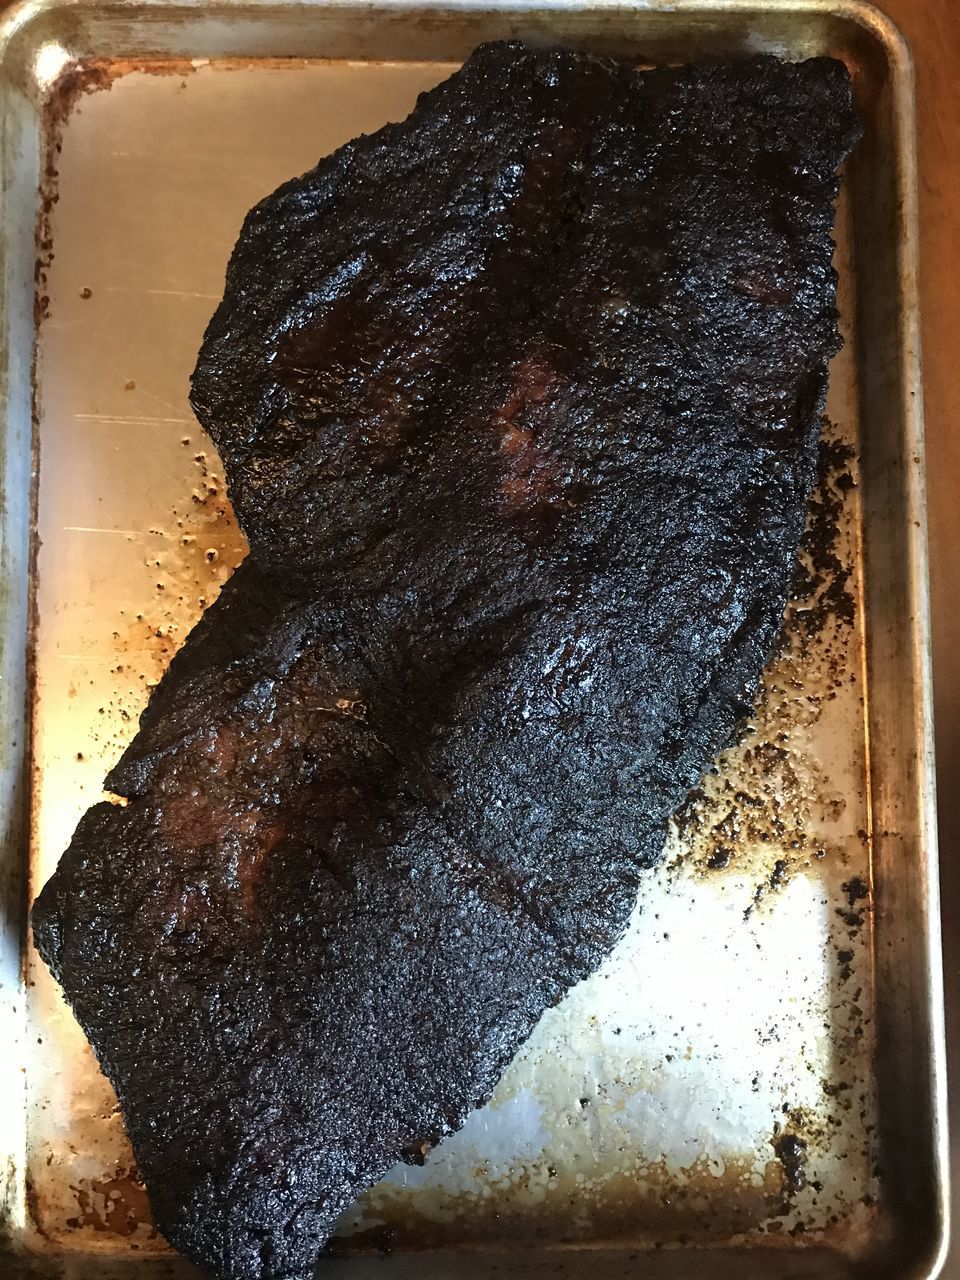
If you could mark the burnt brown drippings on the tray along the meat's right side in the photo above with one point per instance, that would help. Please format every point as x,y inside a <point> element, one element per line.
<point>772,812</point>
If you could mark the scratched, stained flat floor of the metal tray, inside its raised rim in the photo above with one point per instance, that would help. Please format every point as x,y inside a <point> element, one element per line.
<point>715,1085</point>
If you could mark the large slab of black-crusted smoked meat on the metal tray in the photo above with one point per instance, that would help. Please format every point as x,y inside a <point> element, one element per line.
<point>519,404</point>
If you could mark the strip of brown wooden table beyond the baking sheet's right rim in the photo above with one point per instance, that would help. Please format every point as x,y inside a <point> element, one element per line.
<point>932,28</point>
